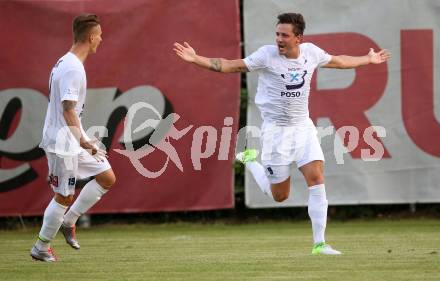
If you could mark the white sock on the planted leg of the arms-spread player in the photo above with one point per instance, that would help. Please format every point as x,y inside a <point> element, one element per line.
<point>317,208</point>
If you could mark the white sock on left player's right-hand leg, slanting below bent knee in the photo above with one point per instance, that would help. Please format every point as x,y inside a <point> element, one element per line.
<point>90,194</point>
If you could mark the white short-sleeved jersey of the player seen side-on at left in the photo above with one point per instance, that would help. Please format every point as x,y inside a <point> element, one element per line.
<point>67,82</point>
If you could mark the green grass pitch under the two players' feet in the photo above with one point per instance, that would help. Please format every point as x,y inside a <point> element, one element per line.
<point>383,250</point>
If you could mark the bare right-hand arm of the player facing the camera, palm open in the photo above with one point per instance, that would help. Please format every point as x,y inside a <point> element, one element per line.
<point>352,62</point>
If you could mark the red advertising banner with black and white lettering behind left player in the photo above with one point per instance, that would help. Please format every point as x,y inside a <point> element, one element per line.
<point>187,165</point>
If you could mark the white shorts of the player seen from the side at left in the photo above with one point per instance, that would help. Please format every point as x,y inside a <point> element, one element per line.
<point>64,170</point>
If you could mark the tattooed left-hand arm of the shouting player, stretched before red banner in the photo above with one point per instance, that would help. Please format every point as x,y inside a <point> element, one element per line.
<point>187,53</point>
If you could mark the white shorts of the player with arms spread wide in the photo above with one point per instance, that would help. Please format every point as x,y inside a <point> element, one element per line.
<point>281,146</point>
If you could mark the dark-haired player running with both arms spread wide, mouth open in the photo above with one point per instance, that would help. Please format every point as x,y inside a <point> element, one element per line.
<point>288,134</point>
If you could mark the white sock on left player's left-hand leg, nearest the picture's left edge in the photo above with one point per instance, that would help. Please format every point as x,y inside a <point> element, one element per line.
<point>52,220</point>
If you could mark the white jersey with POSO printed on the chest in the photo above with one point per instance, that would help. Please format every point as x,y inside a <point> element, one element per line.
<point>284,84</point>
